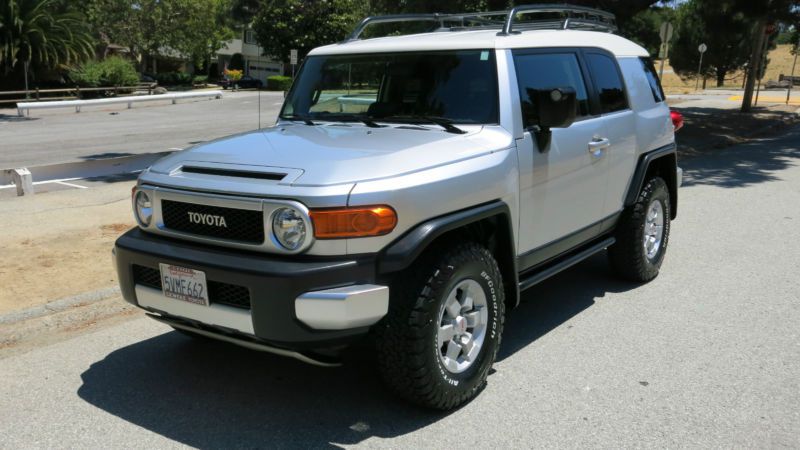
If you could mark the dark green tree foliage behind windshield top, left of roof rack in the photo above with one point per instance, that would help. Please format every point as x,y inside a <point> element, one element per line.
<point>282,25</point>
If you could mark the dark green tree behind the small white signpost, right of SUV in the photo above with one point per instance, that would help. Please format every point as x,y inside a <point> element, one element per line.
<point>714,23</point>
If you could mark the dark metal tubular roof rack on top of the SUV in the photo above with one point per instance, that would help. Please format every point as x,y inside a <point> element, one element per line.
<point>561,17</point>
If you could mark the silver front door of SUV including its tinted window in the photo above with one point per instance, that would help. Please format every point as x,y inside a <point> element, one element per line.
<point>562,186</point>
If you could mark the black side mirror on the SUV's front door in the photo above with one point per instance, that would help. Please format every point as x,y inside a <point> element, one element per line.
<point>549,108</point>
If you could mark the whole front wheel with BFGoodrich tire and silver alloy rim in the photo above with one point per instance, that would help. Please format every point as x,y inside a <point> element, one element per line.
<point>440,338</point>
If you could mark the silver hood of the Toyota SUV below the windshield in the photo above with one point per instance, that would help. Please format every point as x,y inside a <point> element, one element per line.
<point>332,153</point>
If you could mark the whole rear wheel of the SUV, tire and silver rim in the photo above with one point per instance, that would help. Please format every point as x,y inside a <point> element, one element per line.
<point>643,234</point>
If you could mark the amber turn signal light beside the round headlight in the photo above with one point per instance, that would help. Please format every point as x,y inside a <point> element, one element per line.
<point>353,222</point>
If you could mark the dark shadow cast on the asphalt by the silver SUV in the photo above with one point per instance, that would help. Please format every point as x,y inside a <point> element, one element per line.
<point>209,394</point>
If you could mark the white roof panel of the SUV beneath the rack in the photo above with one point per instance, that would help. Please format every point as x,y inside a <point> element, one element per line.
<point>485,39</point>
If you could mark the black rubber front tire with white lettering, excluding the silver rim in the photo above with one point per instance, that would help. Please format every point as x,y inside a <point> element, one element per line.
<point>401,339</point>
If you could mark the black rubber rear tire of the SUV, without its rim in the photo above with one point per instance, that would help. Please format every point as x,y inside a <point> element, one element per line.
<point>626,256</point>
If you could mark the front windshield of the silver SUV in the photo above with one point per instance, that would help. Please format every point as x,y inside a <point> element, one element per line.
<point>455,86</point>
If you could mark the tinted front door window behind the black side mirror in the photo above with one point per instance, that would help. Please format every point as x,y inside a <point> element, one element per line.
<point>546,71</point>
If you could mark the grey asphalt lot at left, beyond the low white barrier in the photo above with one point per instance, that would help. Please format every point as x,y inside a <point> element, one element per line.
<point>61,135</point>
